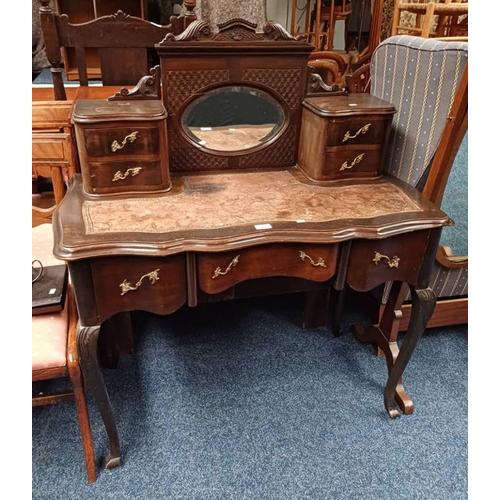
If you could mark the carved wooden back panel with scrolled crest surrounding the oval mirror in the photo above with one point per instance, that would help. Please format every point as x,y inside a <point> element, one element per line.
<point>198,61</point>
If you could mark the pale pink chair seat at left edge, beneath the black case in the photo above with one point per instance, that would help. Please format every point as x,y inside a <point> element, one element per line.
<point>49,332</point>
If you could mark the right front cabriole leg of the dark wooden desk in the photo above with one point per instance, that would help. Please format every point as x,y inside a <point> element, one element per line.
<point>423,303</point>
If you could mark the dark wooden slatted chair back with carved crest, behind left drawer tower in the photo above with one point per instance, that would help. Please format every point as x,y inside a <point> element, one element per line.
<point>126,44</point>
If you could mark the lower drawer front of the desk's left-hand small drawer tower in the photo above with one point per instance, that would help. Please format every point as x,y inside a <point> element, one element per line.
<point>123,176</point>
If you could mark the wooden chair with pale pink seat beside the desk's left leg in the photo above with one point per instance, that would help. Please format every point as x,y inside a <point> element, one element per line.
<point>54,354</point>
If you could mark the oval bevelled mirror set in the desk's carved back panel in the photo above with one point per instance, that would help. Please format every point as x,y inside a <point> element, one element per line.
<point>233,119</point>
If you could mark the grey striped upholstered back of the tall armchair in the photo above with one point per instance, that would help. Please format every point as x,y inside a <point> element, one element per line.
<point>421,77</point>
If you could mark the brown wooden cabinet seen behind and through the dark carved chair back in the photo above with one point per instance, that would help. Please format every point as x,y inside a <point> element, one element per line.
<point>81,11</point>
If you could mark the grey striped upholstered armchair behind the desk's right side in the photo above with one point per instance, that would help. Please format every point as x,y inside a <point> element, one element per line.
<point>426,80</point>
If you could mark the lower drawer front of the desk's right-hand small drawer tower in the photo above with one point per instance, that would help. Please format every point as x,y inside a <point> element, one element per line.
<point>346,162</point>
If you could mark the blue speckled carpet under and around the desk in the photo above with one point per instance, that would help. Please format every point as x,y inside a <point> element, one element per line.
<point>237,401</point>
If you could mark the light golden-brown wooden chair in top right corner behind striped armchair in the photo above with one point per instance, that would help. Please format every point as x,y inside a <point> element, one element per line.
<point>436,18</point>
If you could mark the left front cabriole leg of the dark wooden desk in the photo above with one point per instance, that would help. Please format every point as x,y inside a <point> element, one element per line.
<point>87,340</point>
